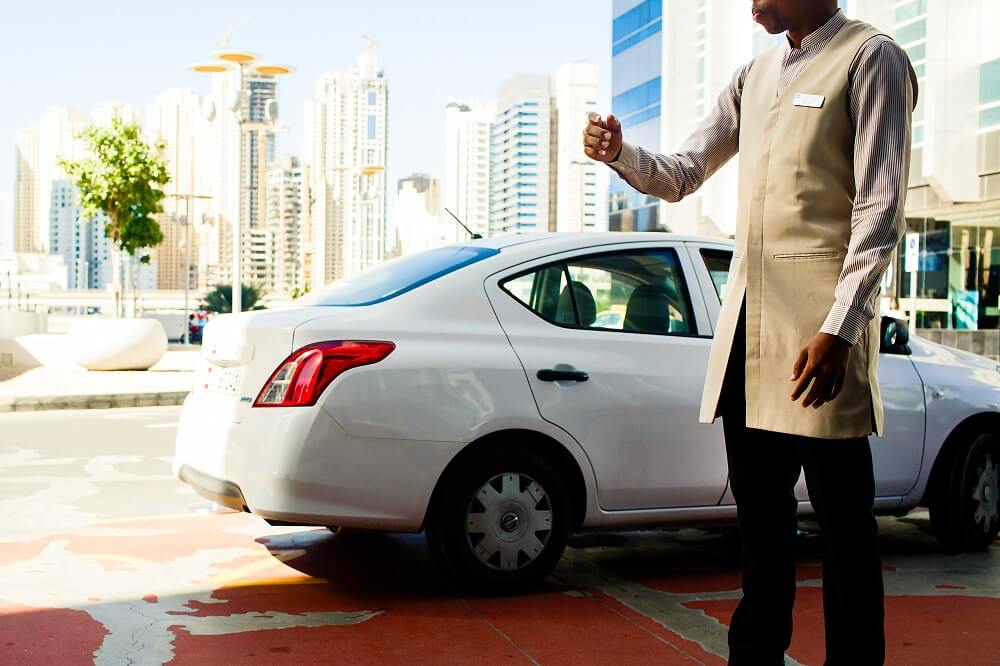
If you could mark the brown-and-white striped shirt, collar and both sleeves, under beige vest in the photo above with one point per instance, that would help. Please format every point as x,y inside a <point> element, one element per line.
<point>882,95</point>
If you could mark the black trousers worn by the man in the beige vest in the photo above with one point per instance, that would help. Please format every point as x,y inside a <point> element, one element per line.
<point>763,469</point>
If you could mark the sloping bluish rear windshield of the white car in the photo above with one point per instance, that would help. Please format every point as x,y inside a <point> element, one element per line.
<point>397,276</point>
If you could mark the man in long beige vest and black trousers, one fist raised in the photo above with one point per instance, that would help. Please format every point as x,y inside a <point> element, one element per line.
<point>822,123</point>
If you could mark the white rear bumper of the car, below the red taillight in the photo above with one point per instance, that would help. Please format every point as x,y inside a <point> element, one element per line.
<point>299,465</point>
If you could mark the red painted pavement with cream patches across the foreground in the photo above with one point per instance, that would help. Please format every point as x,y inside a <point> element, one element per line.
<point>197,574</point>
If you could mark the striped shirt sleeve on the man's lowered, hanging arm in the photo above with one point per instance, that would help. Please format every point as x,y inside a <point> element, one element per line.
<point>881,104</point>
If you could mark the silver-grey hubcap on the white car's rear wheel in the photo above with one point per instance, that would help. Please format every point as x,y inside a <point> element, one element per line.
<point>508,521</point>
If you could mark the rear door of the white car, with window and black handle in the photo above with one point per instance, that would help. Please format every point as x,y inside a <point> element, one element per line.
<point>615,345</point>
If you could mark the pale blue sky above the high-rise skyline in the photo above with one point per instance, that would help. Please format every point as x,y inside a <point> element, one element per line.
<point>79,54</point>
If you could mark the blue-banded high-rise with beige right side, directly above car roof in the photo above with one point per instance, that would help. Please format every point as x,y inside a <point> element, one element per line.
<point>521,146</point>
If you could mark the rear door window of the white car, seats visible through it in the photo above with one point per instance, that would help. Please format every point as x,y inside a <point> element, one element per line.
<point>639,292</point>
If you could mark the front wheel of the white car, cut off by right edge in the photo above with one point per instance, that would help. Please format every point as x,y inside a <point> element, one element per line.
<point>965,508</point>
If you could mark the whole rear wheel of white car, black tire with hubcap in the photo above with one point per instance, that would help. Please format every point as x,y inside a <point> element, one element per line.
<point>501,521</point>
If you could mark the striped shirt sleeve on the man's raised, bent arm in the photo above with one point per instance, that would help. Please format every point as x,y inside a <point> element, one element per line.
<point>673,177</point>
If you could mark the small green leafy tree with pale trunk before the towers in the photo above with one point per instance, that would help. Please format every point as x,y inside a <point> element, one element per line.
<point>121,178</point>
